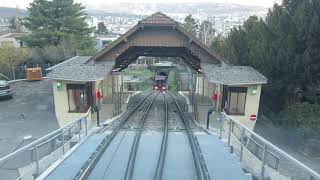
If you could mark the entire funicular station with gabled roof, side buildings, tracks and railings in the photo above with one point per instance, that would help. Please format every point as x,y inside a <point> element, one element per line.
<point>204,130</point>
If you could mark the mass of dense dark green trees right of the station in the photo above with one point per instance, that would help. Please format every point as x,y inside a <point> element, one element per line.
<point>284,47</point>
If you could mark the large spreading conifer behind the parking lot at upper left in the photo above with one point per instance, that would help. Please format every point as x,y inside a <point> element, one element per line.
<point>53,22</point>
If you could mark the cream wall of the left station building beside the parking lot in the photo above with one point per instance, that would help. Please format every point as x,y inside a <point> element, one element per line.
<point>61,103</point>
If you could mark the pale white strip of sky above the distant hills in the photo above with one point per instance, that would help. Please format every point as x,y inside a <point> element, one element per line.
<point>96,3</point>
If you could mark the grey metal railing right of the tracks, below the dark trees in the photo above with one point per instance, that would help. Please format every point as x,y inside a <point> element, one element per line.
<point>260,157</point>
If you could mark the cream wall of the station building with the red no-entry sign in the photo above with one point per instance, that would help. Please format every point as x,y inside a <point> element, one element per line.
<point>251,107</point>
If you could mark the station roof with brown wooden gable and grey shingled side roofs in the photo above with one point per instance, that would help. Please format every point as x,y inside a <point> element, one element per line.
<point>157,35</point>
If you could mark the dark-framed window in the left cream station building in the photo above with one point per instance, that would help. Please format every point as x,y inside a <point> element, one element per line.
<point>78,98</point>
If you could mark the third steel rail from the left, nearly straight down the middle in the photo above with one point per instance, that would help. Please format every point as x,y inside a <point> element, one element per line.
<point>163,150</point>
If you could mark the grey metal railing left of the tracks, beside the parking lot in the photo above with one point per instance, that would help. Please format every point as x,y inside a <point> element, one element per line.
<point>31,160</point>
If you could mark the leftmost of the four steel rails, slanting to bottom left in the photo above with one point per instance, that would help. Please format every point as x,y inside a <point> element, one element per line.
<point>93,160</point>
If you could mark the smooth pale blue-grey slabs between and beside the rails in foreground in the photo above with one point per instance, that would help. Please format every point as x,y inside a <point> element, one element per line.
<point>178,164</point>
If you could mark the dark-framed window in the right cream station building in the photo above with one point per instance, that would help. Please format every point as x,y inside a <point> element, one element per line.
<point>236,100</point>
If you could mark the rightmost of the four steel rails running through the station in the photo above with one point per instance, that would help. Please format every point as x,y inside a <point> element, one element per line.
<point>199,163</point>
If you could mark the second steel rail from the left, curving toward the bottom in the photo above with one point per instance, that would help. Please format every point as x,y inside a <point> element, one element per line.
<point>134,149</point>
